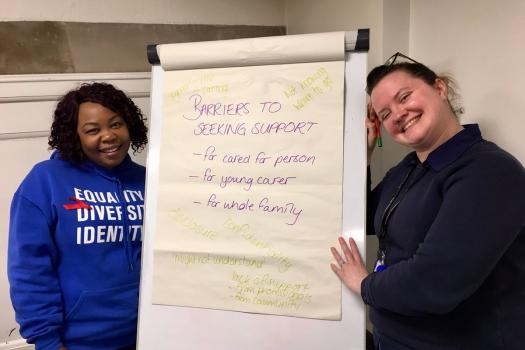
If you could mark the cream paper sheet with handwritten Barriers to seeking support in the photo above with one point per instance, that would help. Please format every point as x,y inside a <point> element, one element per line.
<point>250,189</point>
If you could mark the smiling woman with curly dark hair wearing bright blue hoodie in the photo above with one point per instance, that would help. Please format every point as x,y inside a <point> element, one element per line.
<point>76,227</point>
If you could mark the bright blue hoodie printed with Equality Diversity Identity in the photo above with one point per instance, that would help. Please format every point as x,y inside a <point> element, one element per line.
<point>74,254</point>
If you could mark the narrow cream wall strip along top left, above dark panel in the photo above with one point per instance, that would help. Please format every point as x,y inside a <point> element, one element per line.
<point>232,12</point>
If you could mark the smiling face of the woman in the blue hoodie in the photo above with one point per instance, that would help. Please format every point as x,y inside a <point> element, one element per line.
<point>104,135</point>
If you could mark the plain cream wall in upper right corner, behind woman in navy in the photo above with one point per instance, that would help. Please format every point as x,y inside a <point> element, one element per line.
<point>480,42</point>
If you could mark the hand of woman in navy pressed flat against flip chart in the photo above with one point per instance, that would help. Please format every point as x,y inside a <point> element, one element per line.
<point>351,270</point>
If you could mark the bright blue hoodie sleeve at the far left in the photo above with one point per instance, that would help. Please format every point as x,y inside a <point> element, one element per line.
<point>34,288</point>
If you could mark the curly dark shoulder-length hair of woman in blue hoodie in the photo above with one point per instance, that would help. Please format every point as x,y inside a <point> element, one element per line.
<point>64,136</point>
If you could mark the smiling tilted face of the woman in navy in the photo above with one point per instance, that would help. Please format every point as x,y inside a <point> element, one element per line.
<point>413,112</point>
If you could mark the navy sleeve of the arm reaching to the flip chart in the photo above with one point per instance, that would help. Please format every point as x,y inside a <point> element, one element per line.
<point>481,215</point>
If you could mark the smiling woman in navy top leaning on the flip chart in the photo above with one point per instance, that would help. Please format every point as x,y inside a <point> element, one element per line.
<point>450,219</point>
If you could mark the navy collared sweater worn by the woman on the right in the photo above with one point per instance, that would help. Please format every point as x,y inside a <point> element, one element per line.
<point>455,250</point>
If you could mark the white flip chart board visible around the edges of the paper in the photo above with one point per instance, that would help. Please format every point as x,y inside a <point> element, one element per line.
<point>177,327</point>
